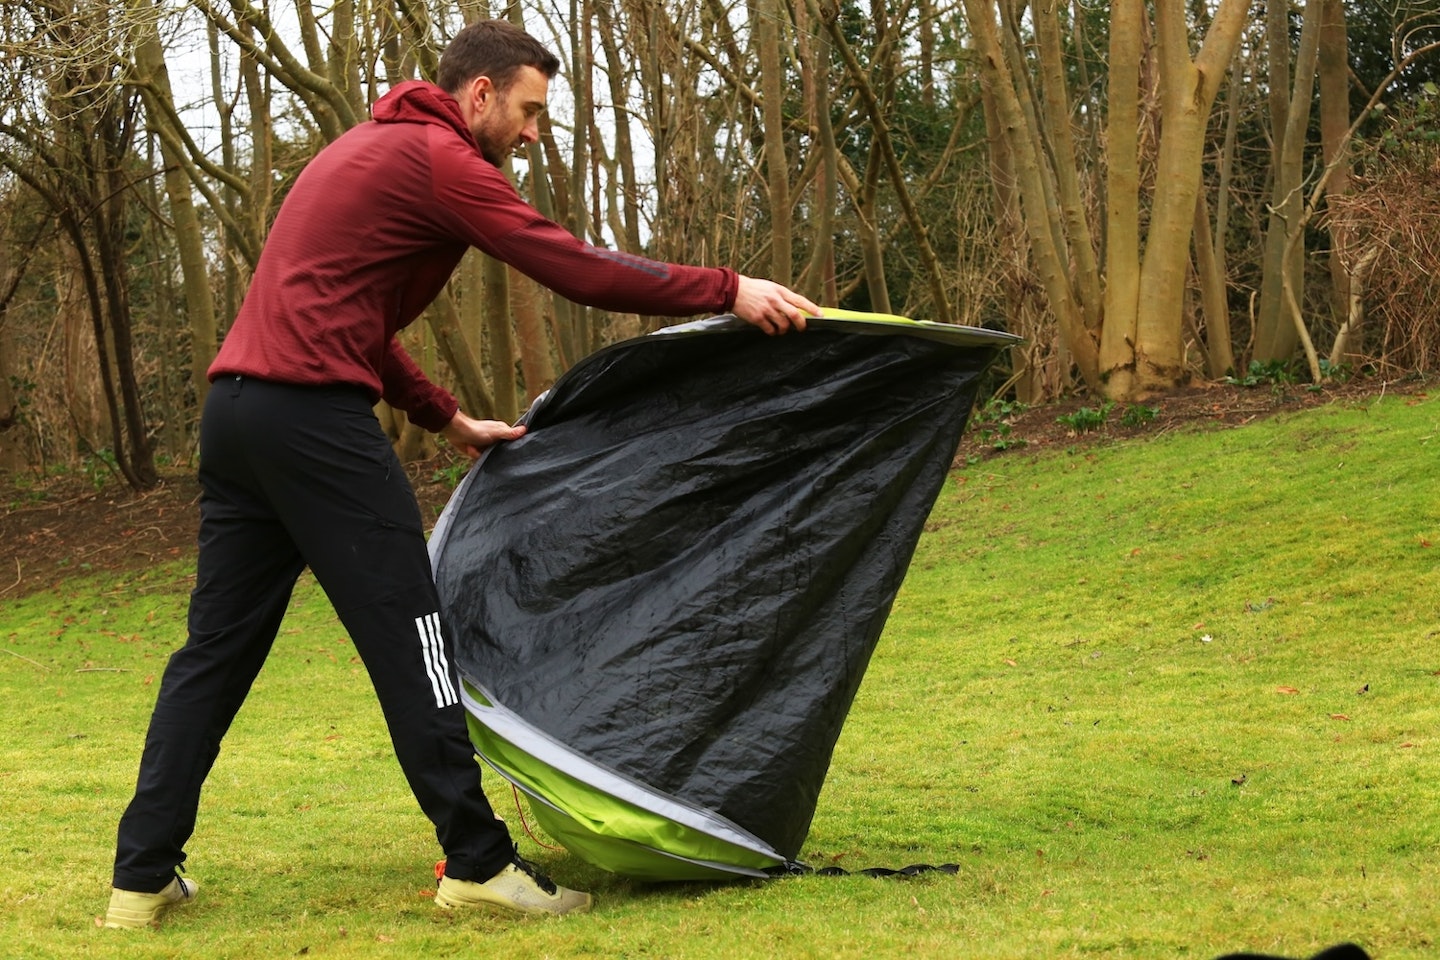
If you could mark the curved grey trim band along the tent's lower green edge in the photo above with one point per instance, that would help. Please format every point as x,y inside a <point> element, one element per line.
<point>546,749</point>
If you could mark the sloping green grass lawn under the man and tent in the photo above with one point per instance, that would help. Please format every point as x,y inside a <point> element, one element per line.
<point>1160,699</point>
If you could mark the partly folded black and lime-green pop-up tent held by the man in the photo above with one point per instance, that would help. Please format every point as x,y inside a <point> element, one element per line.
<point>663,598</point>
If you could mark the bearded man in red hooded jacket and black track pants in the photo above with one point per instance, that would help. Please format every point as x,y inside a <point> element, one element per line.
<point>296,470</point>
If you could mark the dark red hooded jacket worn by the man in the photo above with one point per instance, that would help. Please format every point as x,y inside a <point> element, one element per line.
<point>372,231</point>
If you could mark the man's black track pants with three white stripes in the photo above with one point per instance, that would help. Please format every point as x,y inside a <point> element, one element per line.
<point>293,477</point>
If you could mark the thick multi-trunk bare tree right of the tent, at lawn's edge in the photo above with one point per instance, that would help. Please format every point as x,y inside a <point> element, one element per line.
<point>1135,352</point>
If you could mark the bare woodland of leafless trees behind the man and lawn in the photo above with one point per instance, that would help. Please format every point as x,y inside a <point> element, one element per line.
<point>1153,195</point>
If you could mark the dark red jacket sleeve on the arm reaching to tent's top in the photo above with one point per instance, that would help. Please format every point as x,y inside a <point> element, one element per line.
<point>482,208</point>
